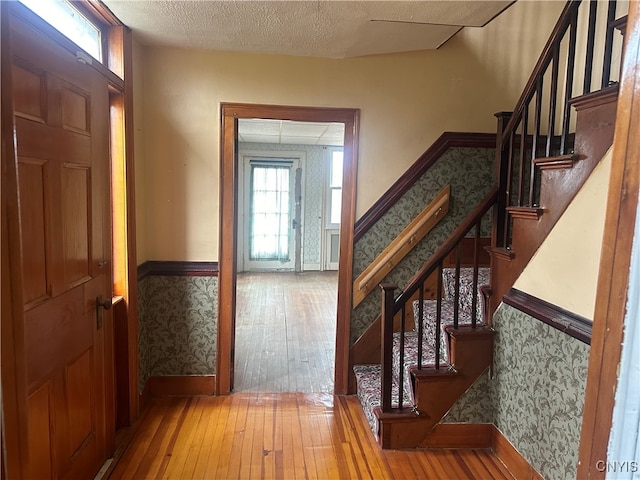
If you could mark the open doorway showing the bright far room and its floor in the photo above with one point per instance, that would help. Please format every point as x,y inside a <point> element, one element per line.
<point>289,206</point>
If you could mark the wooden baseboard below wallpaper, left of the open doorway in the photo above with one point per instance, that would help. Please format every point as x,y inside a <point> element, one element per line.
<point>178,386</point>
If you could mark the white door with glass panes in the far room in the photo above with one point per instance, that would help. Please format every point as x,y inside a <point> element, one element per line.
<point>270,223</point>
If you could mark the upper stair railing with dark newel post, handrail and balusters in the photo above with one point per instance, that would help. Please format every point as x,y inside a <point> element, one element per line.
<point>518,182</point>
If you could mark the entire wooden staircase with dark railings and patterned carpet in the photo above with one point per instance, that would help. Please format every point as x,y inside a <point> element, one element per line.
<point>546,149</point>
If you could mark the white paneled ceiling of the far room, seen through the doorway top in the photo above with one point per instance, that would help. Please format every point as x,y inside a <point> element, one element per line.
<point>289,132</point>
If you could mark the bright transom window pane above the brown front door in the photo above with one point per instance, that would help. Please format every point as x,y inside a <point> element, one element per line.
<point>70,22</point>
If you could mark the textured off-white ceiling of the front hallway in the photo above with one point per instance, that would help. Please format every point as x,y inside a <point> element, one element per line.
<point>322,28</point>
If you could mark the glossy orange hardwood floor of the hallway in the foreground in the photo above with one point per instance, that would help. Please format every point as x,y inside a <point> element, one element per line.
<point>280,436</point>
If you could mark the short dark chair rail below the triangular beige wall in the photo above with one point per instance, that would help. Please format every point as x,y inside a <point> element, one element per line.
<point>570,323</point>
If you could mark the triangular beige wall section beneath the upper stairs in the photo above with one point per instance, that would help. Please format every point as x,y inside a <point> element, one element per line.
<point>564,270</point>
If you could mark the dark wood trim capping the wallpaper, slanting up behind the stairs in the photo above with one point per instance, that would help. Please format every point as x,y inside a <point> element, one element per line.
<point>446,141</point>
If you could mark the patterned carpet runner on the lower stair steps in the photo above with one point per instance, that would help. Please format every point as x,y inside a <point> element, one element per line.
<point>368,377</point>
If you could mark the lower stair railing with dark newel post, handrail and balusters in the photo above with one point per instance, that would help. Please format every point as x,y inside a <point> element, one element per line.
<point>391,306</point>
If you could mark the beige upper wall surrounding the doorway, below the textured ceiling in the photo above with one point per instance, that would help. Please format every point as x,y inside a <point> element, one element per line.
<point>406,101</point>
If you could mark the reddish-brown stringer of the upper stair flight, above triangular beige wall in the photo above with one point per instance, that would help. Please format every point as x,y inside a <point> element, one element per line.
<point>595,124</point>
